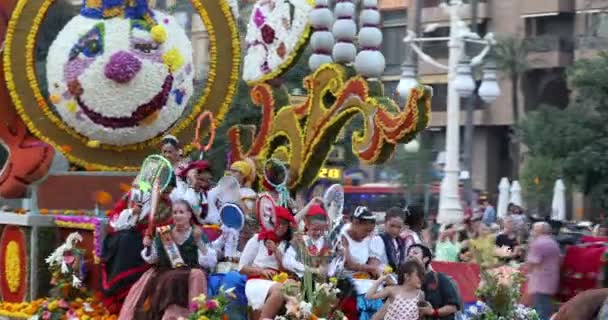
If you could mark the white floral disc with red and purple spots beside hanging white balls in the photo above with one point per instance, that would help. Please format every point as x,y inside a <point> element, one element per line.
<point>276,34</point>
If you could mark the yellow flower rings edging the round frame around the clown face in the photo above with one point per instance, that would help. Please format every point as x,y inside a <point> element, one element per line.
<point>197,108</point>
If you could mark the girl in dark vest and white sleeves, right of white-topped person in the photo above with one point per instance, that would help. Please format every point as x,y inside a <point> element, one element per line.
<point>389,245</point>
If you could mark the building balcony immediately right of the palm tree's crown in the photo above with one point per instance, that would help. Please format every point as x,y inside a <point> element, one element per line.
<point>550,52</point>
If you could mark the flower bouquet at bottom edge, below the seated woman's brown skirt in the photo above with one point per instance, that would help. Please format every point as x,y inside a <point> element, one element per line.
<point>211,309</point>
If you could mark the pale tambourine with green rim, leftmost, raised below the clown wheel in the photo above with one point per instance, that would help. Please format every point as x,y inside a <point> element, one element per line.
<point>154,167</point>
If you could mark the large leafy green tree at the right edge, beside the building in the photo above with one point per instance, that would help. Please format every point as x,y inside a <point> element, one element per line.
<point>575,139</point>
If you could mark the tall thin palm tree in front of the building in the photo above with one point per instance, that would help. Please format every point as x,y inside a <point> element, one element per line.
<point>511,55</point>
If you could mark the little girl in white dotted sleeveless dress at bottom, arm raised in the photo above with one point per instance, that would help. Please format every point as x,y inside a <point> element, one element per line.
<point>403,299</point>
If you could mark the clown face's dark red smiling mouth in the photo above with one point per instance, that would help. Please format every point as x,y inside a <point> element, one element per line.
<point>137,117</point>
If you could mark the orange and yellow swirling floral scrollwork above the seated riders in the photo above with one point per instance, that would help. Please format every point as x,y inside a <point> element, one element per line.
<point>308,130</point>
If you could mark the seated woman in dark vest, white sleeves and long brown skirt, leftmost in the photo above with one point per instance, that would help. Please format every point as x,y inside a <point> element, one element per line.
<point>179,254</point>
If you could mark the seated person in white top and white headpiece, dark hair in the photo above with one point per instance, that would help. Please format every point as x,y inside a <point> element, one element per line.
<point>361,259</point>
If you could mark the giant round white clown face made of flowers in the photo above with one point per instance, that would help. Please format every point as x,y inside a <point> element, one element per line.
<point>120,75</point>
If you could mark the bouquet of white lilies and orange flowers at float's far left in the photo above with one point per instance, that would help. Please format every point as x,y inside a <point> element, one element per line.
<point>67,267</point>
